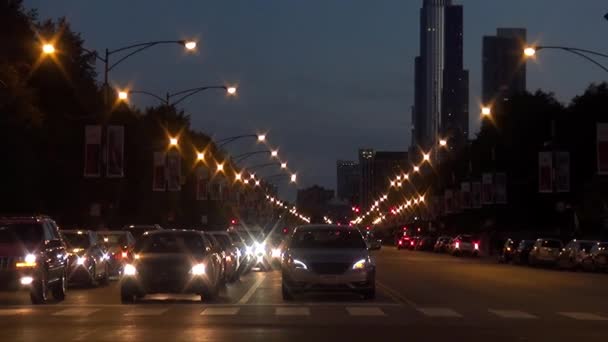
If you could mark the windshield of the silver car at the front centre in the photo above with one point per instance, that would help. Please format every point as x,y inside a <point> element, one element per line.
<point>328,238</point>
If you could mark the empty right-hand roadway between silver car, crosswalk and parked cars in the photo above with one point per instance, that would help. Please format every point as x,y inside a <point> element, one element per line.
<point>428,279</point>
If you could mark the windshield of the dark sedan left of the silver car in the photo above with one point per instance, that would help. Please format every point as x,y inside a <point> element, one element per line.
<point>186,243</point>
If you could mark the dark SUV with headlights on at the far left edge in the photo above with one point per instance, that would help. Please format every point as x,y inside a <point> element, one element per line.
<point>32,256</point>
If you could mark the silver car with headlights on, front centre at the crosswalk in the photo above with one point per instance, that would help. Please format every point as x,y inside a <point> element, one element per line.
<point>327,258</point>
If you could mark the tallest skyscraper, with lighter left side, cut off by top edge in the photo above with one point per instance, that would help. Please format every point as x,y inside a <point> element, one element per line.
<point>441,83</point>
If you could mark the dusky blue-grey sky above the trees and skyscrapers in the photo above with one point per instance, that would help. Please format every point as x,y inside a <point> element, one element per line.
<point>322,77</point>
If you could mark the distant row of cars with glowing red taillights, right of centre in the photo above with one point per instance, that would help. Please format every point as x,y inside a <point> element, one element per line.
<point>464,244</point>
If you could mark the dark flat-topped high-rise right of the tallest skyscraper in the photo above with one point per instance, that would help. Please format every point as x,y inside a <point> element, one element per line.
<point>503,67</point>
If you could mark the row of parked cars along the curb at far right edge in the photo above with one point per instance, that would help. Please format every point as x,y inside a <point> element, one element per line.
<point>588,255</point>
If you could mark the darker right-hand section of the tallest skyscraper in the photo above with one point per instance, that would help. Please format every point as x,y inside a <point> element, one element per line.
<point>455,95</point>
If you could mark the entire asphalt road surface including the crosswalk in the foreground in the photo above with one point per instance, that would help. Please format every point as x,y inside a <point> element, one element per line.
<point>421,297</point>
